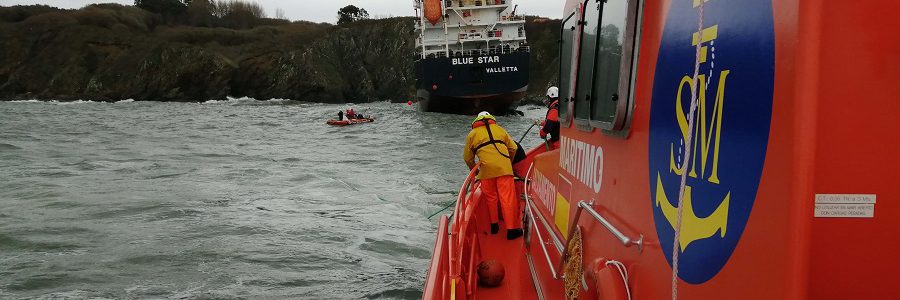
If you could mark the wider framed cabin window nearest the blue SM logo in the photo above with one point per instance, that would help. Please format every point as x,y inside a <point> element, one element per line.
<point>604,89</point>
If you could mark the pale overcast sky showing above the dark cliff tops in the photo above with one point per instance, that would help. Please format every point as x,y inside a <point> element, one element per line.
<point>326,10</point>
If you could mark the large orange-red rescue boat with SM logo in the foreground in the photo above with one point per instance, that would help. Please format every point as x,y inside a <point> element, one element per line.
<point>711,149</point>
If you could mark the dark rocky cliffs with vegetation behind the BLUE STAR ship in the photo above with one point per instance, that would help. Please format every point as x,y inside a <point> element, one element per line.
<point>171,50</point>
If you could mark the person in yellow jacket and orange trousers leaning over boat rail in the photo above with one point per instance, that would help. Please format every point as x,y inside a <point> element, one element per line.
<point>493,147</point>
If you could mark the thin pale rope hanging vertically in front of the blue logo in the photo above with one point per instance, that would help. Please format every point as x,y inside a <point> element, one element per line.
<point>676,247</point>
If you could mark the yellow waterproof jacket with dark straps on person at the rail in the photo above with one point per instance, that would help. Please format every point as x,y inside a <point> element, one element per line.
<point>495,161</point>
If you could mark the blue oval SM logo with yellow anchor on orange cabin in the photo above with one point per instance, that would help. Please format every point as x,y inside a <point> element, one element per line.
<point>731,128</point>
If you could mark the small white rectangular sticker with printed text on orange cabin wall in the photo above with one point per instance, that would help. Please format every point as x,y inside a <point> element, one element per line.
<point>845,206</point>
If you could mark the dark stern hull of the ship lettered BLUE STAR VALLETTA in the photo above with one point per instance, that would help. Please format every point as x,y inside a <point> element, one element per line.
<point>471,84</point>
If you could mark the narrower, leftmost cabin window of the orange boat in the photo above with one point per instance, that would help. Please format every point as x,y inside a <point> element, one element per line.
<point>567,64</point>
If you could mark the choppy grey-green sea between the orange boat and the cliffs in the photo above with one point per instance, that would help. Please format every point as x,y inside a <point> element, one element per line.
<point>235,198</point>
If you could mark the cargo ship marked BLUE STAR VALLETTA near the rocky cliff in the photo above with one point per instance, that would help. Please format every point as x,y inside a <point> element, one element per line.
<point>471,56</point>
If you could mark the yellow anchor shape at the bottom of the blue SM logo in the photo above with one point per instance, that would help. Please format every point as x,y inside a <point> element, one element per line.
<point>693,228</point>
